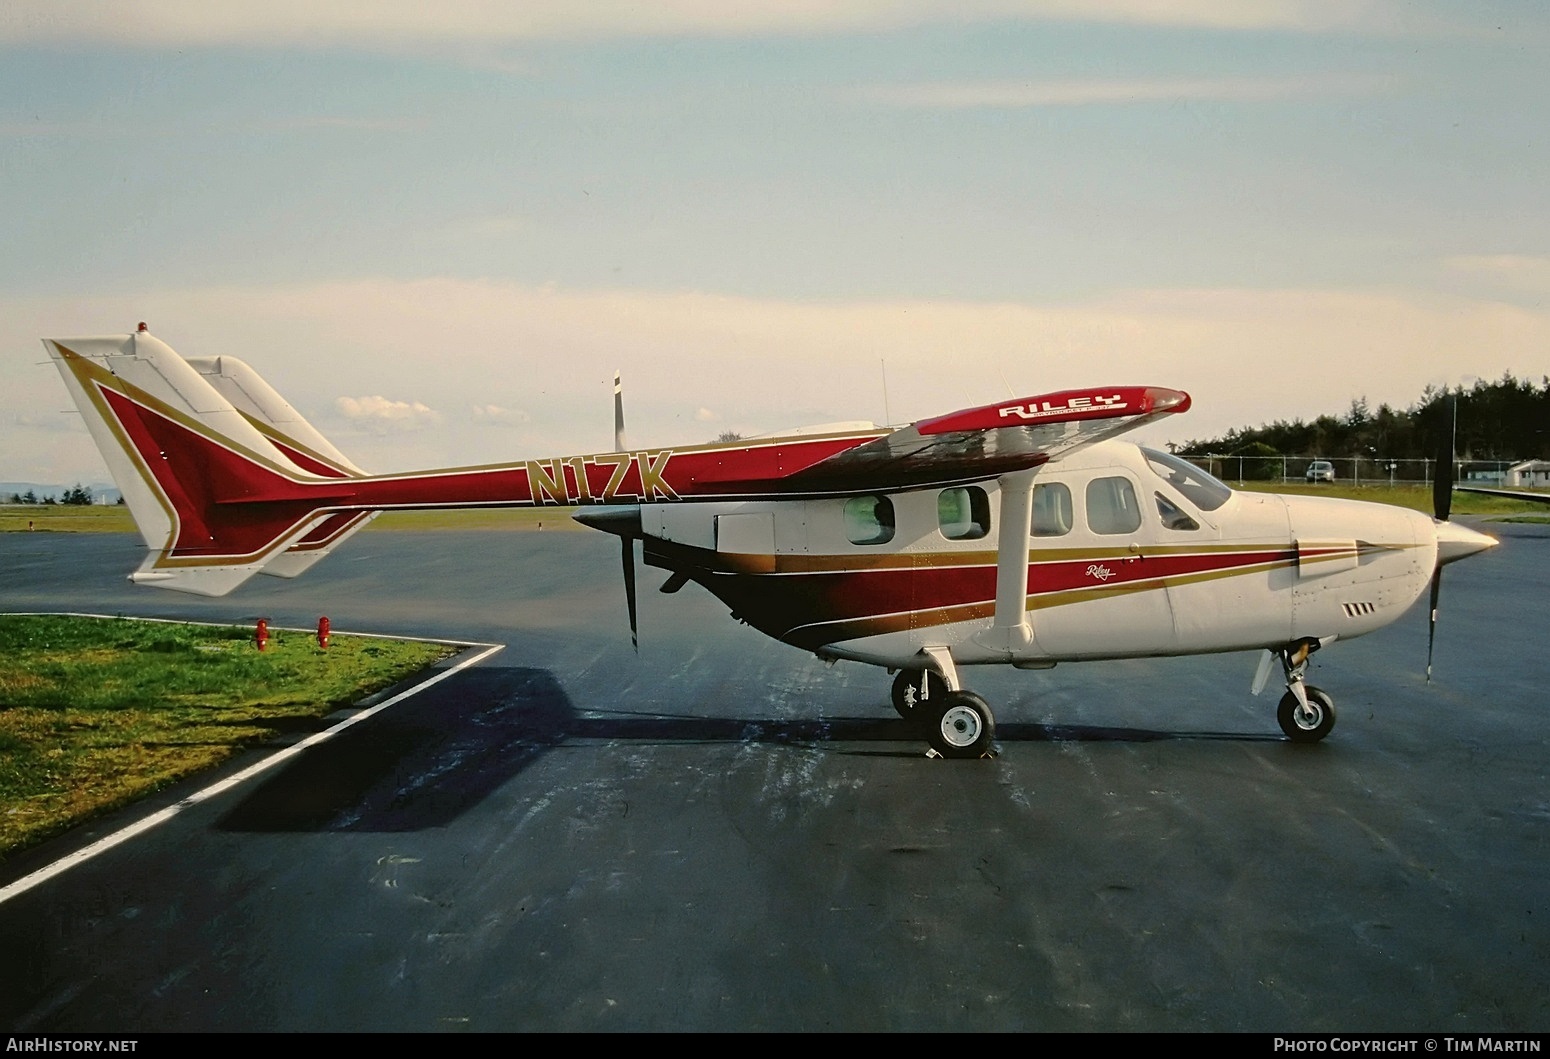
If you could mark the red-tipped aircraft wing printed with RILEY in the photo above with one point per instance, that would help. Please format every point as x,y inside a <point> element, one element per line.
<point>990,441</point>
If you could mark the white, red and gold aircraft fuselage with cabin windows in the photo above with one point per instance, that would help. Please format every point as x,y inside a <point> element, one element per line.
<point>1128,556</point>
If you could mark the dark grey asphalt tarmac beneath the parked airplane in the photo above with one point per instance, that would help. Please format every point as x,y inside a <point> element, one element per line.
<point>725,833</point>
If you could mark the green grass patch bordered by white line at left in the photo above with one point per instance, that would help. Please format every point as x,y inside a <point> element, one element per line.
<point>97,712</point>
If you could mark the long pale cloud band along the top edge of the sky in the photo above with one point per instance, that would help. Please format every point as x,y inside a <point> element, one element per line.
<point>408,24</point>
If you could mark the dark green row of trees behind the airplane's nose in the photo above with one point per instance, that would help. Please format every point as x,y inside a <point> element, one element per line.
<point>1501,421</point>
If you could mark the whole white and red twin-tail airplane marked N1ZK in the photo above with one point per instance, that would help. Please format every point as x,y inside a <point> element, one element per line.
<point>1014,534</point>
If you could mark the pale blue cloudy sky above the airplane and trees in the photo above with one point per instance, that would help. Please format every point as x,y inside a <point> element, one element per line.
<point>441,229</point>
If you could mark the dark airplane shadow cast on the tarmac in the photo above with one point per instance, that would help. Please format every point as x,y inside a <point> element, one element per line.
<point>421,765</point>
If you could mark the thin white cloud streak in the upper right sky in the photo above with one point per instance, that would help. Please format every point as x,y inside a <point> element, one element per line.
<point>1080,94</point>
